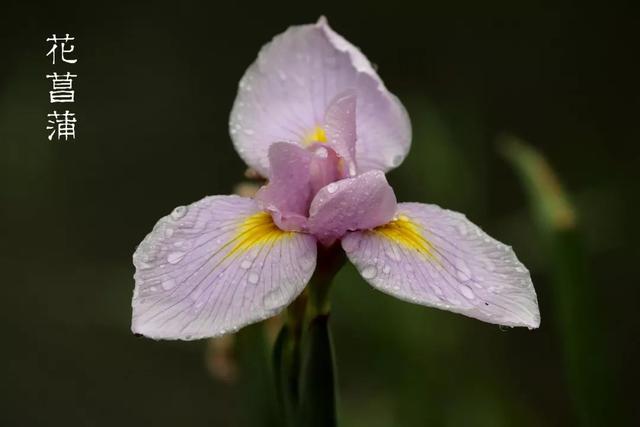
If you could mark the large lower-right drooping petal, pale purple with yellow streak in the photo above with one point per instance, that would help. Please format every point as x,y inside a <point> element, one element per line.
<point>436,257</point>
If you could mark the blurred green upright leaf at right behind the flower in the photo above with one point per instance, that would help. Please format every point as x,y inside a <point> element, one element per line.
<point>582,331</point>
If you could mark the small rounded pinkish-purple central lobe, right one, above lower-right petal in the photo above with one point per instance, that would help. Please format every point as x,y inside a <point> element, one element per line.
<point>359,203</point>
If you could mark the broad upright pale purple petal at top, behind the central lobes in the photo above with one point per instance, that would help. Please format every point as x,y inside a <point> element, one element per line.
<point>284,95</point>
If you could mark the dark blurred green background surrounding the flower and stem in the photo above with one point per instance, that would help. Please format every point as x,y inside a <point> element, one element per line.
<point>155,87</point>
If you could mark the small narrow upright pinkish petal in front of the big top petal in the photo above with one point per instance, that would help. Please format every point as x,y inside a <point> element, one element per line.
<point>340,127</point>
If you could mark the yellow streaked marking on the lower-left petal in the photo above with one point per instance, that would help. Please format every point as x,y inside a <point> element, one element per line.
<point>256,230</point>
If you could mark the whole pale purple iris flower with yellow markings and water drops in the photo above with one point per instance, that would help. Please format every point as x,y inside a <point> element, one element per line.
<point>313,116</point>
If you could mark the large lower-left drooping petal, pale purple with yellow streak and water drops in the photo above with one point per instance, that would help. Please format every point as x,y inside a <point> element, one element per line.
<point>214,266</point>
